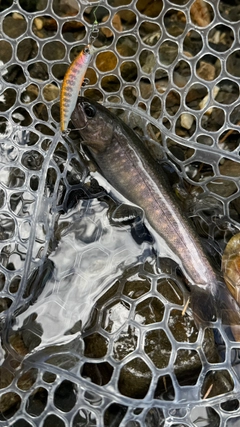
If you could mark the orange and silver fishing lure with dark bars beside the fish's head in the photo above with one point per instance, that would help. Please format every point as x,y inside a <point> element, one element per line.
<point>72,83</point>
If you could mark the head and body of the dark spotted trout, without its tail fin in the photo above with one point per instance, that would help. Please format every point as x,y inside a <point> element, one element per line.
<point>127,165</point>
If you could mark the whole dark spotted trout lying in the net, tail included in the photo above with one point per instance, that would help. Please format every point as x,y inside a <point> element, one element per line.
<point>125,162</point>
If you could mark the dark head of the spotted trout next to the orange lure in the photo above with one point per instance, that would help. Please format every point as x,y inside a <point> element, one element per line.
<point>94,123</point>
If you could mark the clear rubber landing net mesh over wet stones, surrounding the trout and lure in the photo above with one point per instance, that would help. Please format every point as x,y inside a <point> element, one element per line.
<point>92,333</point>
